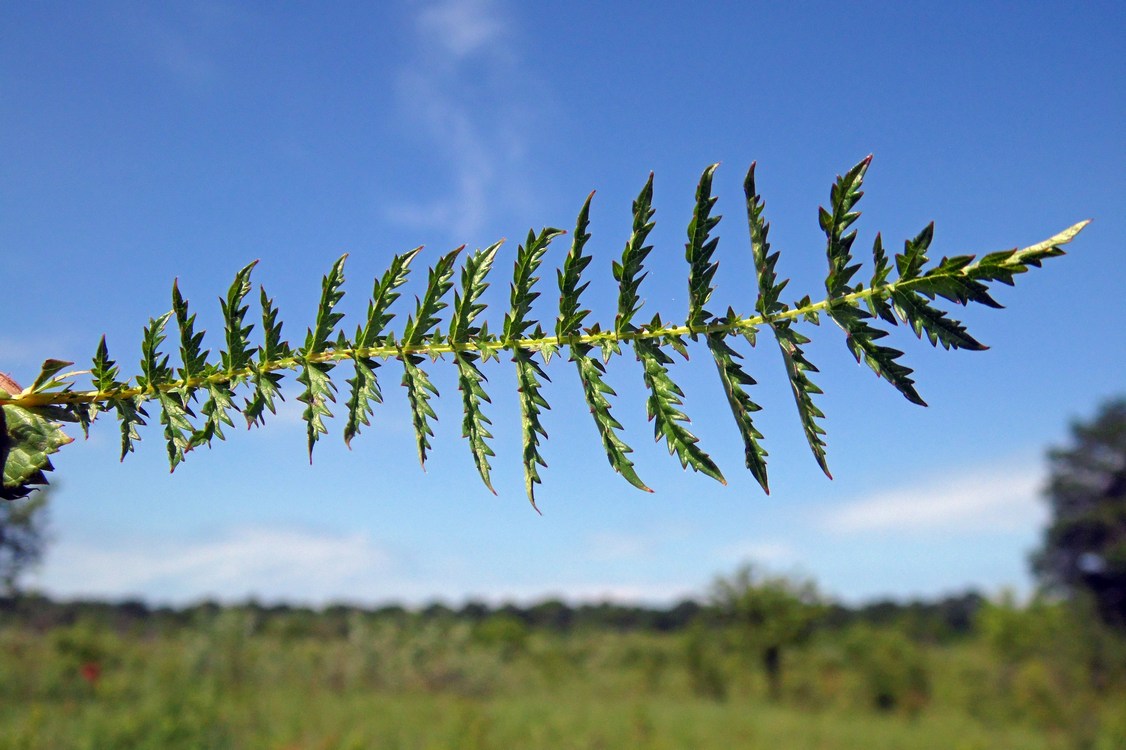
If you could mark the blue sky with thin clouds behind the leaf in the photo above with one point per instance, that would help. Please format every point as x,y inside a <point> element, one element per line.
<point>146,142</point>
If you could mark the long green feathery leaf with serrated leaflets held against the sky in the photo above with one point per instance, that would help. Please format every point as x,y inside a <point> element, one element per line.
<point>196,401</point>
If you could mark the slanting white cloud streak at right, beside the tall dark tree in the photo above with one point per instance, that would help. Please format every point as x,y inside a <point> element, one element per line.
<point>989,499</point>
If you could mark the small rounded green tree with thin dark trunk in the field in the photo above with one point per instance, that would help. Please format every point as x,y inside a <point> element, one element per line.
<point>771,614</point>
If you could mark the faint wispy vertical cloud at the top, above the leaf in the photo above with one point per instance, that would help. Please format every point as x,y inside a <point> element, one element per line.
<point>462,94</point>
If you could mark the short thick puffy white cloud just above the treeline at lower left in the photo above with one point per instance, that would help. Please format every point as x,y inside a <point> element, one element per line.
<point>270,564</point>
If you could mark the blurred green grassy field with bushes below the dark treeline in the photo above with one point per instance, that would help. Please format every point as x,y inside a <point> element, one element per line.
<point>251,678</point>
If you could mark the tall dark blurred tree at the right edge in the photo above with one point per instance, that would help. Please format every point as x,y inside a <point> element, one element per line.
<point>1085,546</point>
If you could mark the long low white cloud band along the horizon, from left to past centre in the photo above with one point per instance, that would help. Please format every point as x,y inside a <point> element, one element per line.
<point>308,567</point>
